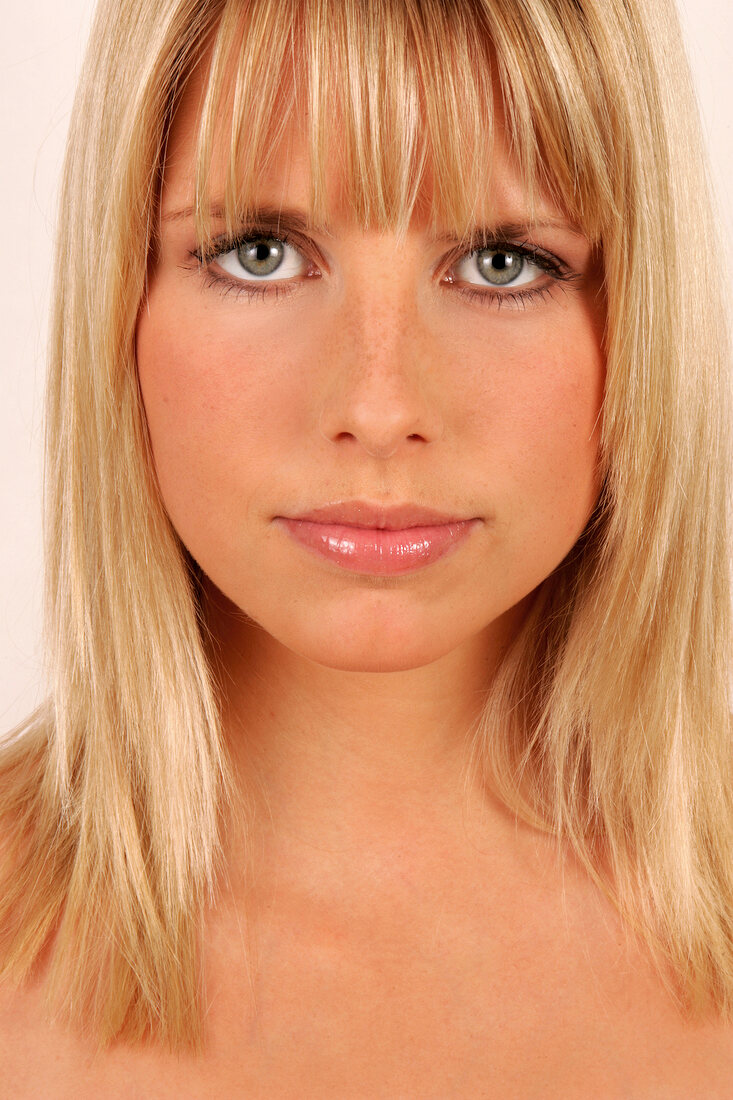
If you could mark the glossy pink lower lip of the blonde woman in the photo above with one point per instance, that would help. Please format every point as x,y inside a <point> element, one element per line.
<point>377,552</point>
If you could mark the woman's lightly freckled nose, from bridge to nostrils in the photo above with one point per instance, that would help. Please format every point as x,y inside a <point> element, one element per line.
<point>381,391</point>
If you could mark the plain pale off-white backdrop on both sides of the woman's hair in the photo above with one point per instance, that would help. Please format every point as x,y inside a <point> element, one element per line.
<point>41,50</point>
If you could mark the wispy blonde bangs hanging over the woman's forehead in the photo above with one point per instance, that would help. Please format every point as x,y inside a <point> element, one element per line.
<point>401,98</point>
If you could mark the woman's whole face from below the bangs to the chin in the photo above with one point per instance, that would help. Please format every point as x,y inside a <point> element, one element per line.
<point>340,367</point>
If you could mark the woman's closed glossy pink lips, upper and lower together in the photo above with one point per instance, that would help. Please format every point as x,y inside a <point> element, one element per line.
<point>379,541</point>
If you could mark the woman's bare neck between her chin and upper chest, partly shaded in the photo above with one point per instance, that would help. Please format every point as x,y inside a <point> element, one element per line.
<point>334,754</point>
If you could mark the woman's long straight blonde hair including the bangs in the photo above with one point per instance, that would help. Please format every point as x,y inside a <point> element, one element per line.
<point>609,723</point>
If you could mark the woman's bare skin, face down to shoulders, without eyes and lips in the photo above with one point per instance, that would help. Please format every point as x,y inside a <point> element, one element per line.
<point>399,933</point>
